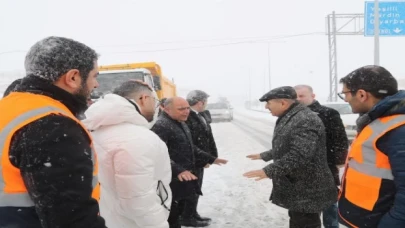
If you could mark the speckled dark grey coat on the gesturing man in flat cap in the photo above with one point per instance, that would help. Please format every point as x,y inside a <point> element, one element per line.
<point>302,181</point>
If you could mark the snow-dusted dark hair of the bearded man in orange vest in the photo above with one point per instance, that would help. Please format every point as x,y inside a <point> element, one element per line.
<point>53,57</point>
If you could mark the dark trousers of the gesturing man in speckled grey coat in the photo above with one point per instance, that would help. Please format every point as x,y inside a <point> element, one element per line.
<point>304,220</point>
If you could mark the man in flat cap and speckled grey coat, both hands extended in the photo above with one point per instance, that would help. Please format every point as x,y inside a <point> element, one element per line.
<point>302,180</point>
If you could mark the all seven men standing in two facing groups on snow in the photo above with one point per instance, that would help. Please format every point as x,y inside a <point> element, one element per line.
<point>52,161</point>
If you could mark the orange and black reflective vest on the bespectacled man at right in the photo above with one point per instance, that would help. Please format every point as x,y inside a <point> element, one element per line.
<point>367,185</point>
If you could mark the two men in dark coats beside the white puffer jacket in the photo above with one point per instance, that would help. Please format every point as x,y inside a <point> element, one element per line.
<point>185,128</point>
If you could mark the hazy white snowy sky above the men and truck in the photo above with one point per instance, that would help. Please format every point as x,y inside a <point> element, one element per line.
<point>201,44</point>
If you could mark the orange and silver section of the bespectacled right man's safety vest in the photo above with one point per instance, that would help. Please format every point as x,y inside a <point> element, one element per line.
<point>367,165</point>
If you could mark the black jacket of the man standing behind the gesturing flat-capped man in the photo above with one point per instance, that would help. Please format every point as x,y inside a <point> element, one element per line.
<point>336,139</point>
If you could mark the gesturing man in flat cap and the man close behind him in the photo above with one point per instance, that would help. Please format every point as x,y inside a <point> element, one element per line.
<point>309,142</point>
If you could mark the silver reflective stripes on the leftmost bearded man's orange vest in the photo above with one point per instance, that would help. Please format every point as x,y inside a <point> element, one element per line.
<point>23,199</point>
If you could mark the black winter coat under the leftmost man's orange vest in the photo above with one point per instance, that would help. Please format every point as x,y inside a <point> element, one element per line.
<point>62,192</point>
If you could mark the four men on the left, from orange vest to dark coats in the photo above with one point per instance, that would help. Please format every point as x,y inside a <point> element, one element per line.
<point>56,150</point>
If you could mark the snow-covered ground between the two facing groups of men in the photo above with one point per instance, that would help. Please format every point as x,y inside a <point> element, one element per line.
<point>230,199</point>
